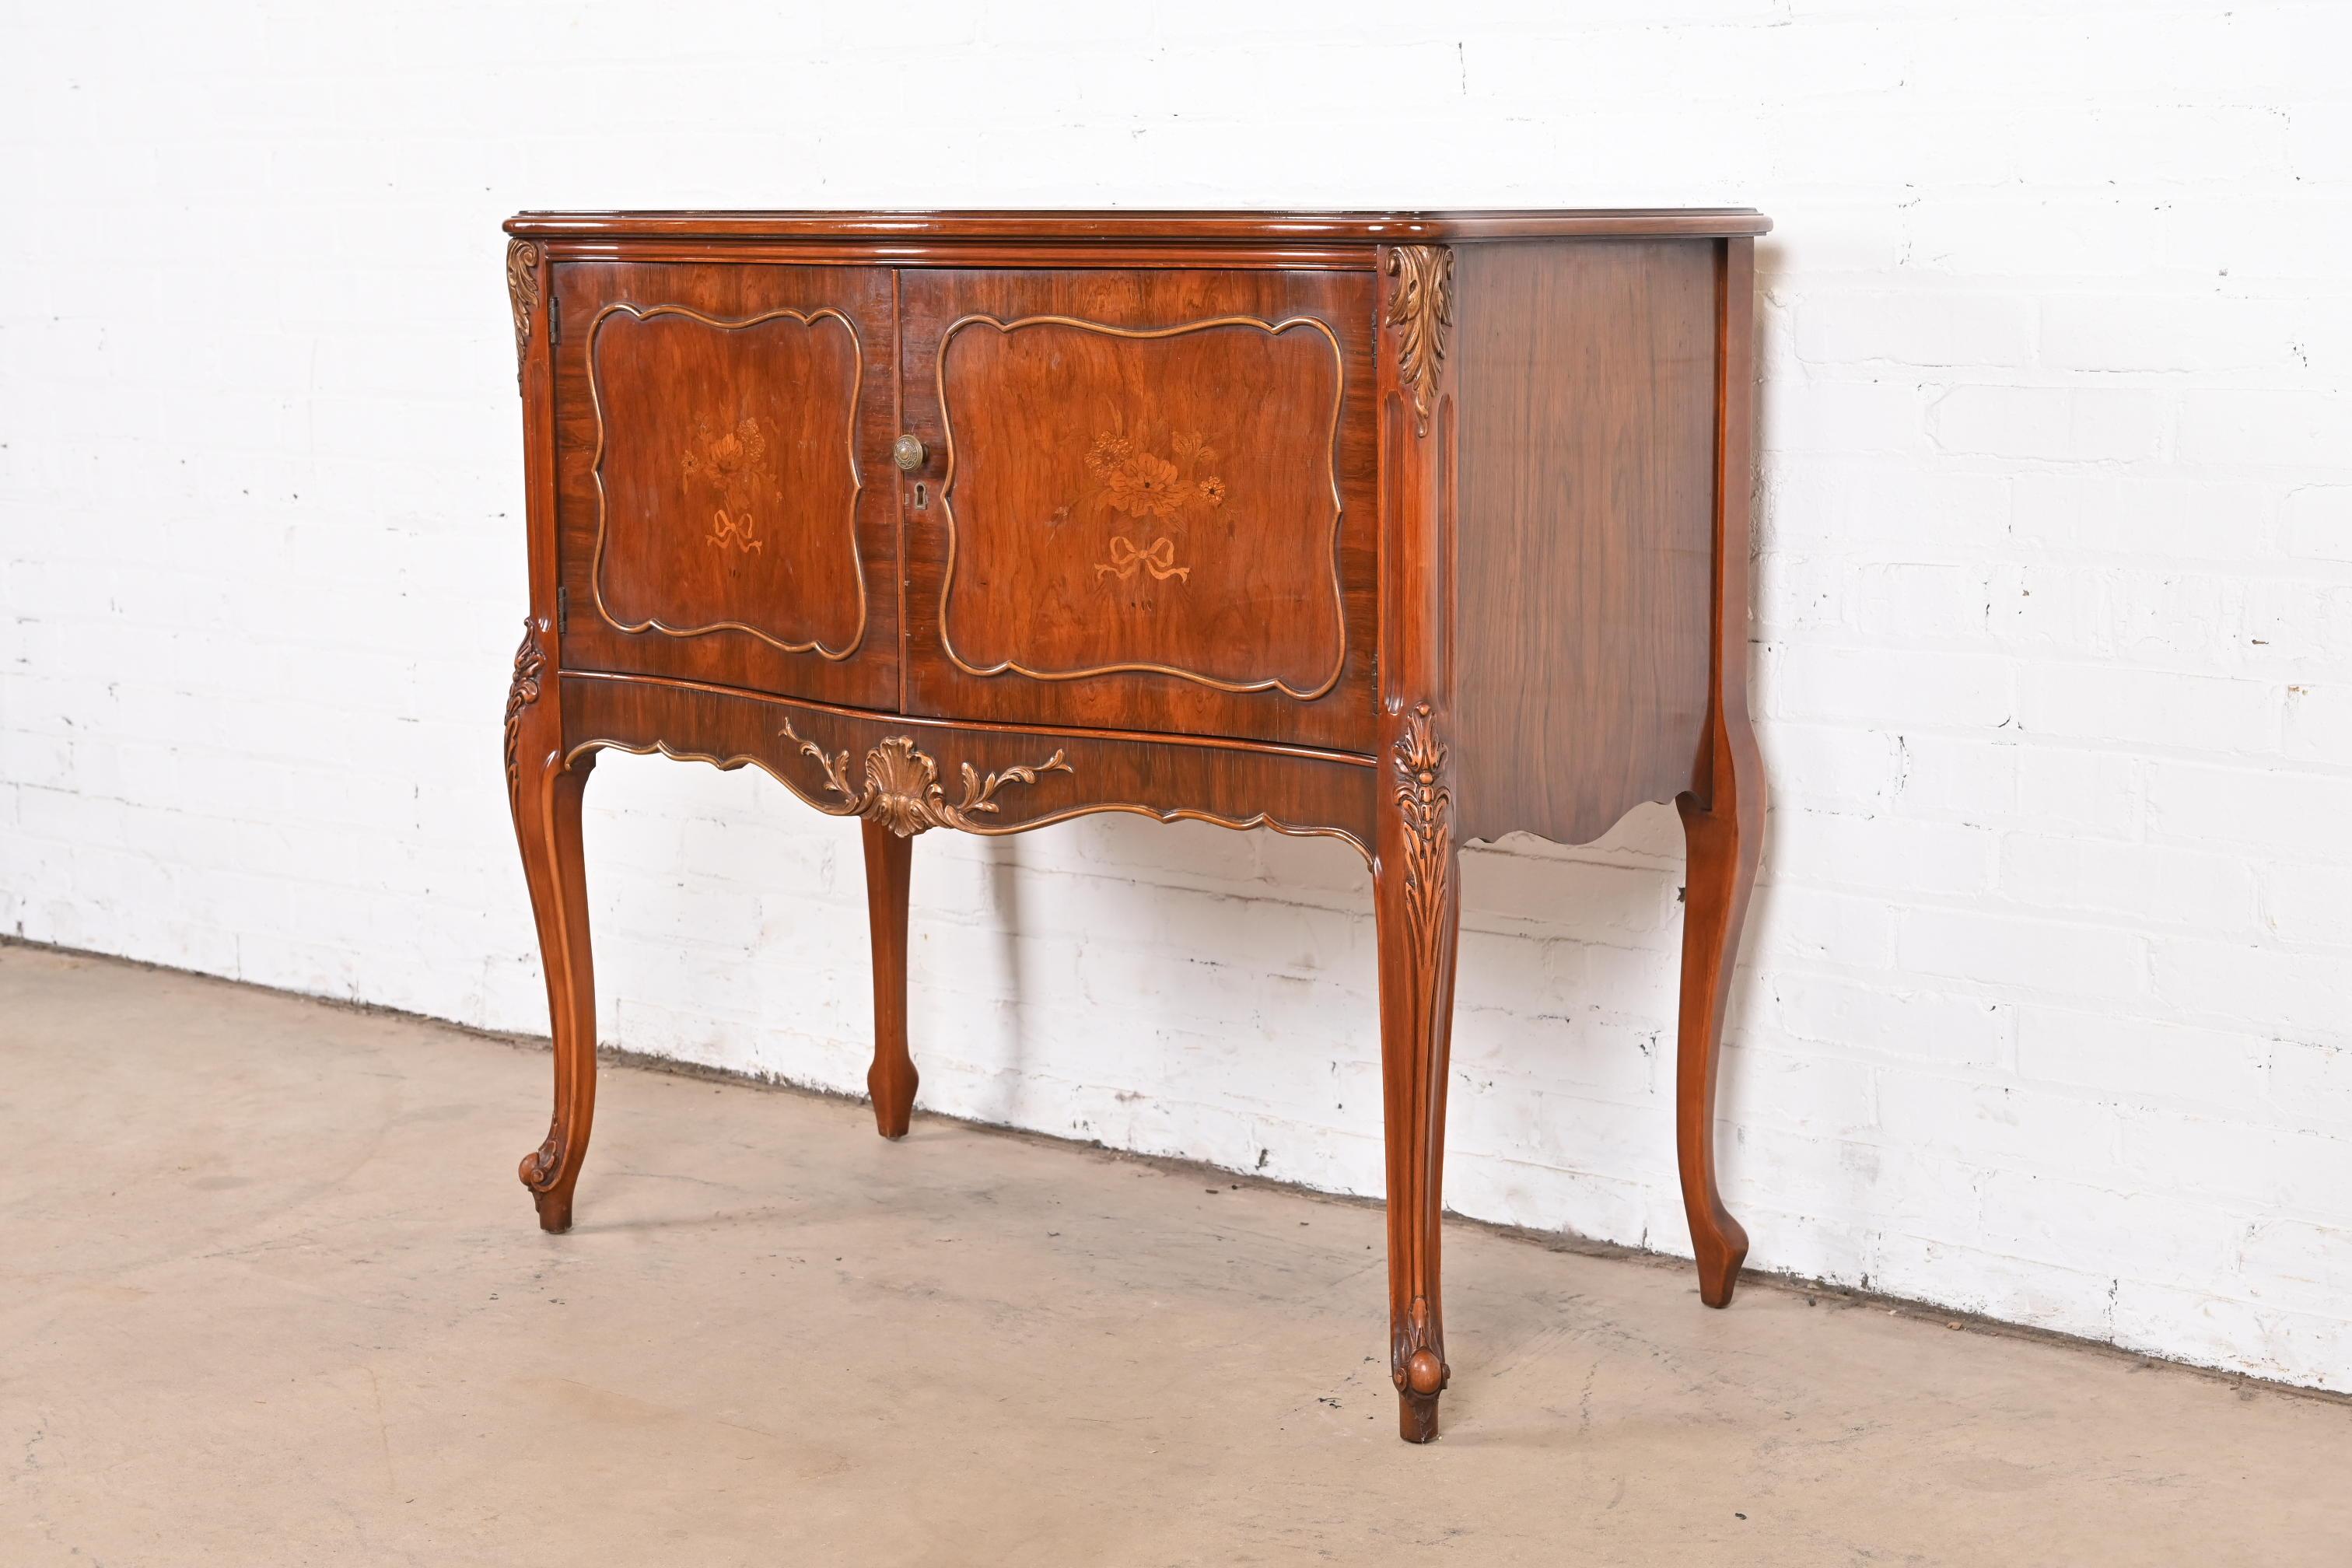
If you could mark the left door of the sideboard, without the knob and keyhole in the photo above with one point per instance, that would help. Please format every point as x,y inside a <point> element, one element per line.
<point>726,504</point>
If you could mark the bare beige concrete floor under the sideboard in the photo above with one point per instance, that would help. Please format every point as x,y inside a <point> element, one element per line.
<point>272,1294</point>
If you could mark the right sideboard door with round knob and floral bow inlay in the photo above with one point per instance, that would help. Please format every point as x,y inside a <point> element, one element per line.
<point>1149,500</point>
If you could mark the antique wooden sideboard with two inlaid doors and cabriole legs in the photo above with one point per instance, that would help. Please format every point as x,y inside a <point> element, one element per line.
<point>1408,530</point>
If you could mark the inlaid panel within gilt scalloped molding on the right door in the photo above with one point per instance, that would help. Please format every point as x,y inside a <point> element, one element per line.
<point>1163,525</point>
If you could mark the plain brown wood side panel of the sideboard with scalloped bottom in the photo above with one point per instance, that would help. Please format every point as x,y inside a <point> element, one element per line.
<point>1586,391</point>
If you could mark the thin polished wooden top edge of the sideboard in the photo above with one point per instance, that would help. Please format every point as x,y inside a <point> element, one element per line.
<point>1210,227</point>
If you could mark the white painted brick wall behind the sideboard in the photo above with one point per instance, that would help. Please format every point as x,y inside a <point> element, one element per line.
<point>2047,1005</point>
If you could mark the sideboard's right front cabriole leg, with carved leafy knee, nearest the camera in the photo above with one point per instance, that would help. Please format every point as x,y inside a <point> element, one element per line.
<point>1419,916</point>
